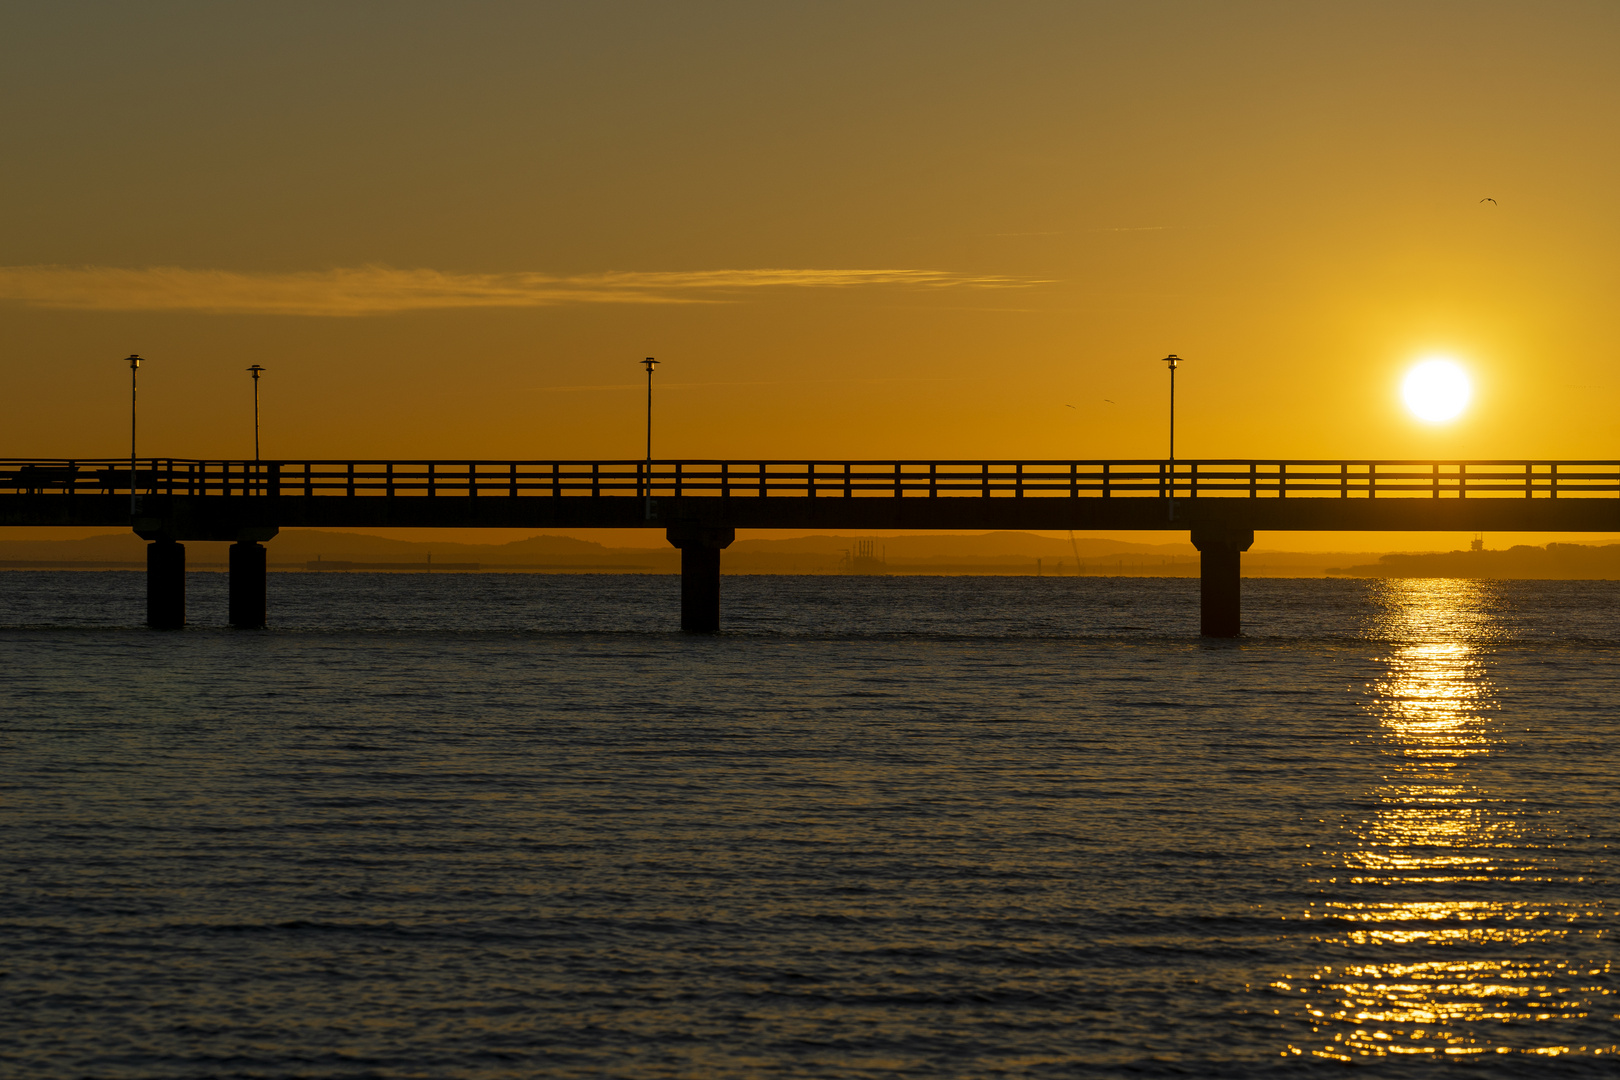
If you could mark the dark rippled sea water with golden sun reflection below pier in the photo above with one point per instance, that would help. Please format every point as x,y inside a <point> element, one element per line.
<point>514,827</point>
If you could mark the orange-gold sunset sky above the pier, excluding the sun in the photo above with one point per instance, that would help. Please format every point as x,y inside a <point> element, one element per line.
<point>846,231</point>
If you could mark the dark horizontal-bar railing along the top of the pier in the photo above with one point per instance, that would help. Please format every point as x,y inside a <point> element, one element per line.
<point>827,480</point>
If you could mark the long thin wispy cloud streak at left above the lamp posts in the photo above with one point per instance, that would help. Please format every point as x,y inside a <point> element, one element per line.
<point>382,291</point>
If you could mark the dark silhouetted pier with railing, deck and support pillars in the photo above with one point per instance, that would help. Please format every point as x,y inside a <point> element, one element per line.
<point>701,504</point>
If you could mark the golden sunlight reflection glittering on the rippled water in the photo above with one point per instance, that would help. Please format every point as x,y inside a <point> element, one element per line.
<point>1438,961</point>
